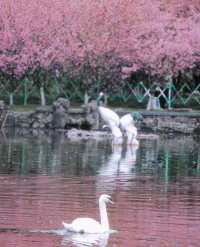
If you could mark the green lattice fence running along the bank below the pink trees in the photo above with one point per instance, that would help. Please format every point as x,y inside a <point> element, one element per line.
<point>136,93</point>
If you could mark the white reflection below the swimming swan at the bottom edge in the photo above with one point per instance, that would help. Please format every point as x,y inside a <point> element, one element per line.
<point>82,240</point>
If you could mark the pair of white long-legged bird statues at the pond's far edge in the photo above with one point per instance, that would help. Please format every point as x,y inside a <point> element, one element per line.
<point>119,125</point>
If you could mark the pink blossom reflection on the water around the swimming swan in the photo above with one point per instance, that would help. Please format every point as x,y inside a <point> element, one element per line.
<point>145,213</point>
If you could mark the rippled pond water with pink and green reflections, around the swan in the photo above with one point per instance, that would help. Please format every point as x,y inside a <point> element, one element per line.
<point>45,180</point>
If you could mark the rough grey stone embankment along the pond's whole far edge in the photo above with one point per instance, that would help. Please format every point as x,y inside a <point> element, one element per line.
<point>61,116</point>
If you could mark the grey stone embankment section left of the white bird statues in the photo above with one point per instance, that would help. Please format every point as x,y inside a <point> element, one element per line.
<point>58,116</point>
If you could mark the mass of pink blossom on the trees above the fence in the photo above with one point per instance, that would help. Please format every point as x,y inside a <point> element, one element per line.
<point>159,36</point>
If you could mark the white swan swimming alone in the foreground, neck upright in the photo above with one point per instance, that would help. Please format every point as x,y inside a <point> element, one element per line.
<point>89,225</point>
